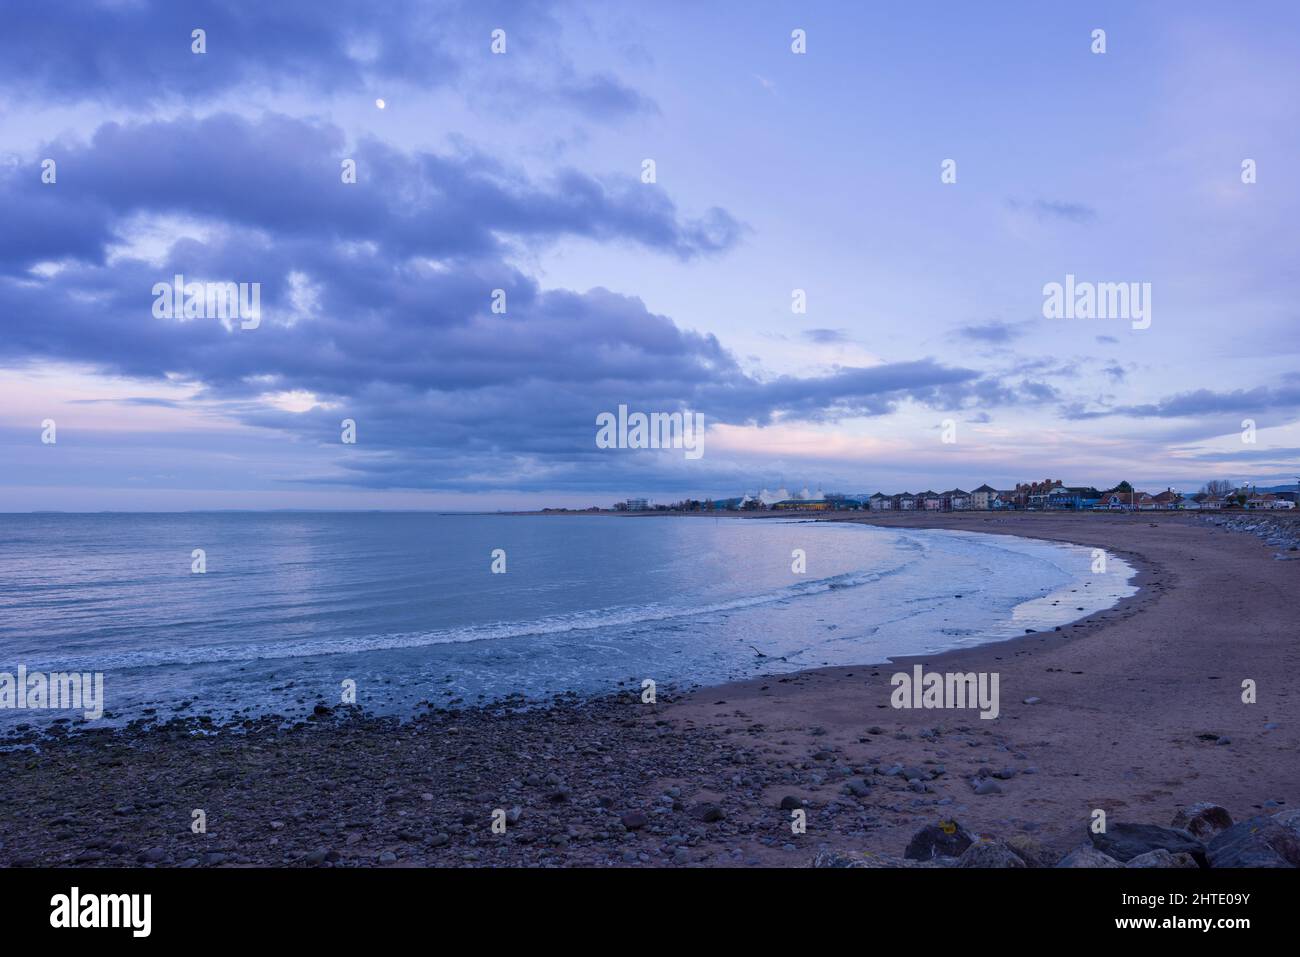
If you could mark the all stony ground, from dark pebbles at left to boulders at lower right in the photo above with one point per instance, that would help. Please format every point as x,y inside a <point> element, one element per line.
<point>577,785</point>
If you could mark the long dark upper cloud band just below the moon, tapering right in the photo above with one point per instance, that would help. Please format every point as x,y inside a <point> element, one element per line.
<point>283,176</point>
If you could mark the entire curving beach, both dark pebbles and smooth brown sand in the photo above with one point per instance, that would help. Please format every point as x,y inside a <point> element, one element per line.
<point>1137,711</point>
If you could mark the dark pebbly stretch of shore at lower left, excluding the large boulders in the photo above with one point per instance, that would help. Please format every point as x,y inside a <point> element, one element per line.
<point>573,785</point>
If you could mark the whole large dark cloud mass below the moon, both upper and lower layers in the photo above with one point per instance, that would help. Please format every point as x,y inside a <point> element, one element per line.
<point>376,301</point>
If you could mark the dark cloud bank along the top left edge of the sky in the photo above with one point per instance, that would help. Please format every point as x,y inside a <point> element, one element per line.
<point>137,54</point>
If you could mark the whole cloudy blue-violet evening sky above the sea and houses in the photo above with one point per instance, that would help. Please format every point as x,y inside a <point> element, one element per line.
<point>924,358</point>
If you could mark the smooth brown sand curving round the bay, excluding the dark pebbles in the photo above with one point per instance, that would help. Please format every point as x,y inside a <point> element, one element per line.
<point>1132,703</point>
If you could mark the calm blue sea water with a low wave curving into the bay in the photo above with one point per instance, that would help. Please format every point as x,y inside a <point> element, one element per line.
<point>406,605</point>
